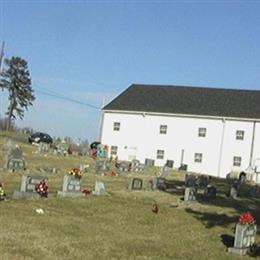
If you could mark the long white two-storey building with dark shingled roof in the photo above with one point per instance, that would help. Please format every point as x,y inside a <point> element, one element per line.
<point>213,131</point>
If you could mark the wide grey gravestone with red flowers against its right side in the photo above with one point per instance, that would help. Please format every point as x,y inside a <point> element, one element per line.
<point>28,187</point>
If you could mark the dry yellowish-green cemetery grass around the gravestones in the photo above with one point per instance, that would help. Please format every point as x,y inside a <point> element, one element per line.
<point>119,226</point>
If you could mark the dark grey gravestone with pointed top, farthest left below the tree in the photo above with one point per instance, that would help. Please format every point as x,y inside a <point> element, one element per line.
<point>15,160</point>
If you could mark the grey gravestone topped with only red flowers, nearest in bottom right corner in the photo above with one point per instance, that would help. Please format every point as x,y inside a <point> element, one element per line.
<point>244,238</point>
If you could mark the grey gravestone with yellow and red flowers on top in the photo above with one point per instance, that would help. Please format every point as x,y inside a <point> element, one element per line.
<point>71,187</point>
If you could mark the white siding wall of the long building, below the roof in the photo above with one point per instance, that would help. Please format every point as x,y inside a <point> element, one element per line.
<point>140,136</point>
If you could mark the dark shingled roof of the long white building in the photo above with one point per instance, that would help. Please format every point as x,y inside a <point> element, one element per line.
<point>188,100</point>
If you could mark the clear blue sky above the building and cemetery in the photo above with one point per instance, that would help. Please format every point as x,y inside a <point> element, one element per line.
<point>91,51</point>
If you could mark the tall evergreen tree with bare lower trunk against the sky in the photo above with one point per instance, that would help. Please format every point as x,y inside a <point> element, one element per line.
<point>15,78</point>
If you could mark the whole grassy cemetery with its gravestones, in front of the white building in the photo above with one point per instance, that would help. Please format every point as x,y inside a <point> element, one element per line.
<point>92,206</point>
